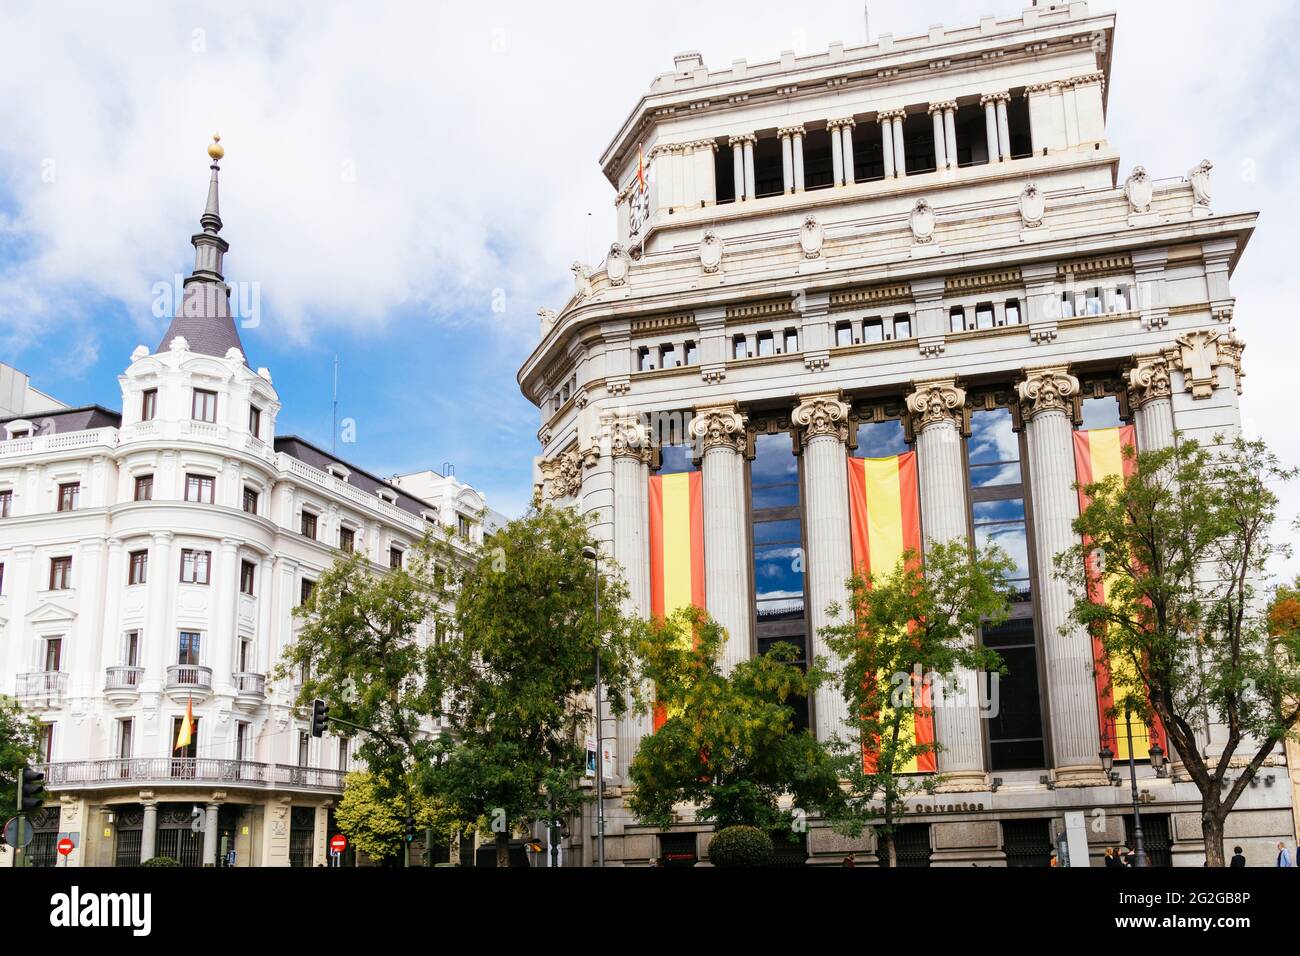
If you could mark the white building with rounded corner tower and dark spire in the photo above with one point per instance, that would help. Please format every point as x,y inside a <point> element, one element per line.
<point>153,559</point>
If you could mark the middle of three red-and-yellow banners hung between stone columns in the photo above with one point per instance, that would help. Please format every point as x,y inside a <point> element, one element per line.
<point>885,522</point>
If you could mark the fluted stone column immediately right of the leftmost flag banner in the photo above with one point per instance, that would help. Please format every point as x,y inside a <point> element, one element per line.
<point>720,432</point>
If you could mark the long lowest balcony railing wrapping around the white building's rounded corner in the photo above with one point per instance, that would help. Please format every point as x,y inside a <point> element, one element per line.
<point>162,772</point>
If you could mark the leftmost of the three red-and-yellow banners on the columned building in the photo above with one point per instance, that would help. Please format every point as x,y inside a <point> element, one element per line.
<point>677,548</point>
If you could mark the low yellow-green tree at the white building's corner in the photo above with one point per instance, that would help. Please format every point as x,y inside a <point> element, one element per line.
<point>372,814</point>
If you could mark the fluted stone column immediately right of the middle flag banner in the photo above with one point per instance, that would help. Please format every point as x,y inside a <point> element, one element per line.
<point>937,408</point>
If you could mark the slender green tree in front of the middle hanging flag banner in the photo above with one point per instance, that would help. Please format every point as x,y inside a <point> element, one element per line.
<point>902,628</point>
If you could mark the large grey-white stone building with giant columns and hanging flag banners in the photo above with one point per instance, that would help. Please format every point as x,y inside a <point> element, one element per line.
<point>925,244</point>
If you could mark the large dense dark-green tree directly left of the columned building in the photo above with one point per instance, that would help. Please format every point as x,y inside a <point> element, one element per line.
<point>517,665</point>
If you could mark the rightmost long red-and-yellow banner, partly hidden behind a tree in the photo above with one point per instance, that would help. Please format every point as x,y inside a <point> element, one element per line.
<point>1098,456</point>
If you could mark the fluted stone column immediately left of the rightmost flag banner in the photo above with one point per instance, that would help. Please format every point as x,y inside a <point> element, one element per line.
<point>1046,404</point>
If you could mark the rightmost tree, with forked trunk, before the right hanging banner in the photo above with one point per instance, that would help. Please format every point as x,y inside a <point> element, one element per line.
<point>1184,544</point>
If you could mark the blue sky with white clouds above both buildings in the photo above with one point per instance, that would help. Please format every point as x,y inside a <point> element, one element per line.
<point>395,171</point>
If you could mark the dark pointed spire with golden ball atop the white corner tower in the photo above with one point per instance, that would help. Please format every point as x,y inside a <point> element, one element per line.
<point>203,318</point>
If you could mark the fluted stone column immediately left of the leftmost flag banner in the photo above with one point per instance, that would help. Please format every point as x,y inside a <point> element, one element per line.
<point>630,451</point>
